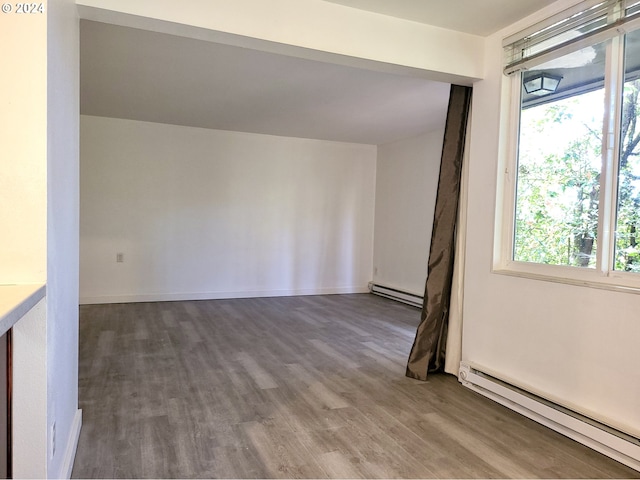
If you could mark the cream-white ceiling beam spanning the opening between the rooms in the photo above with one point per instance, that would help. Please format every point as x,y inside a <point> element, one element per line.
<point>311,29</point>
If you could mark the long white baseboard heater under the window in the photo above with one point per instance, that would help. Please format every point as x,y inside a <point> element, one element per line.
<point>611,442</point>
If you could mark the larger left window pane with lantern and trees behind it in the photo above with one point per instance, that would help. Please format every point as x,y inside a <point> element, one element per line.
<point>559,161</point>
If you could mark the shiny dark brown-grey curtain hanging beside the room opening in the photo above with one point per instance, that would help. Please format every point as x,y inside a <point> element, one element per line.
<point>428,351</point>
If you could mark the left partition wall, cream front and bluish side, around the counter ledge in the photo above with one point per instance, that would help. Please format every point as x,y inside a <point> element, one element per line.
<point>39,214</point>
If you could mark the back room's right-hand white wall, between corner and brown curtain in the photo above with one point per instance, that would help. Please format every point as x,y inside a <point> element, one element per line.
<point>406,187</point>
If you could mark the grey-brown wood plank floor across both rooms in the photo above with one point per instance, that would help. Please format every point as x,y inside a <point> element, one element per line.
<point>296,387</point>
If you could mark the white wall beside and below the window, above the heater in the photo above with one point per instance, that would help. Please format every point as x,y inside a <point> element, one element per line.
<point>575,345</point>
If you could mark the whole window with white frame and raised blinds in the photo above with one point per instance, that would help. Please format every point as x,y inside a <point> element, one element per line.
<point>573,209</point>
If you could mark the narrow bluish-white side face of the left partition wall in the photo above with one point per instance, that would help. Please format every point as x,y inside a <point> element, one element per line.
<point>63,122</point>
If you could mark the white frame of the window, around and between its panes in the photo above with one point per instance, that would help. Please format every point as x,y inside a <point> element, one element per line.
<point>603,275</point>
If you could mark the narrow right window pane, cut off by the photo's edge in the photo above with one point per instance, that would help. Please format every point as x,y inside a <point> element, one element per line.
<point>627,253</point>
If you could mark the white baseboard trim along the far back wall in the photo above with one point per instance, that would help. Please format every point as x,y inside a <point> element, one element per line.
<point>172,297</point>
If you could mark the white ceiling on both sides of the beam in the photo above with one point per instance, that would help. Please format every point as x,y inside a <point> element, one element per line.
<point>156,77</point>
